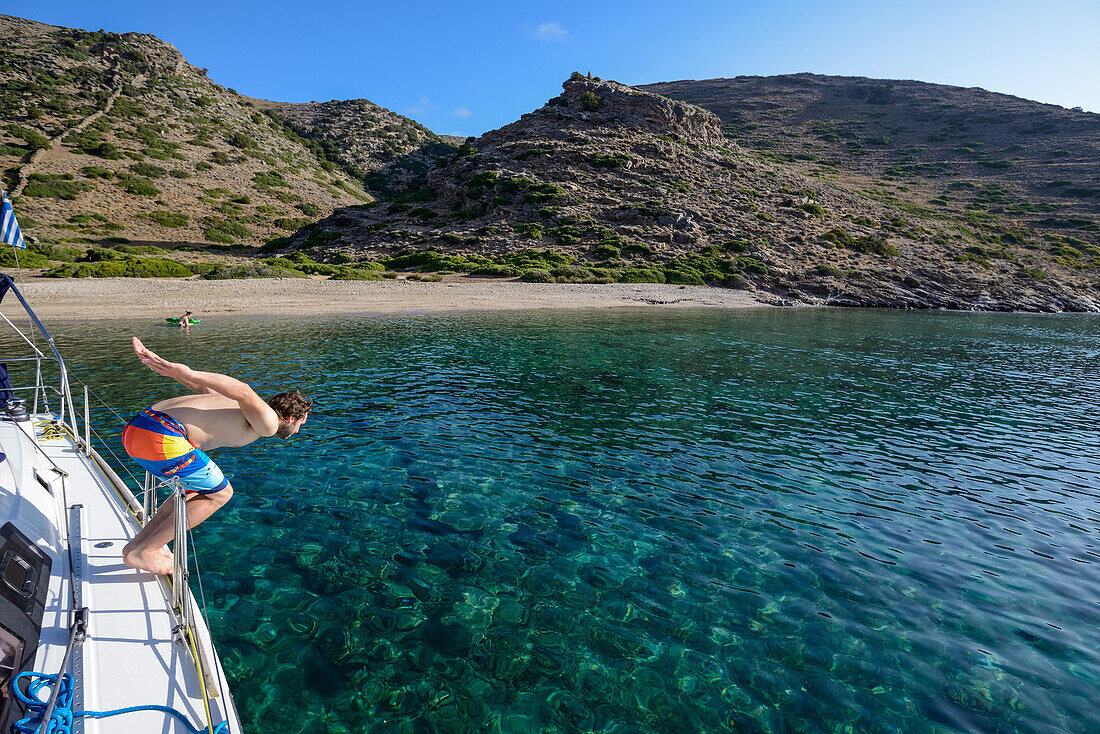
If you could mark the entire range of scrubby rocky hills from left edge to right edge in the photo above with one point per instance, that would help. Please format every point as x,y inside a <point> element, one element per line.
<point>802,189</point>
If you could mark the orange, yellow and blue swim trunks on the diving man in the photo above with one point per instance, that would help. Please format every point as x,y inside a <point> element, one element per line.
<point>159,443</point>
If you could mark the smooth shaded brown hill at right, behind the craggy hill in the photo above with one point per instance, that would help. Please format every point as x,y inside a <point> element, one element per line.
<point>949,149</point>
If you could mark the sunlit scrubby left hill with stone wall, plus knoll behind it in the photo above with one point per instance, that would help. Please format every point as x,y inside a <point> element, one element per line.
<point>116,137</point>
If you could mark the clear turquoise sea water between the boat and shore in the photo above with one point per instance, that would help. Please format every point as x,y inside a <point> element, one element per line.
<point>778,521</point>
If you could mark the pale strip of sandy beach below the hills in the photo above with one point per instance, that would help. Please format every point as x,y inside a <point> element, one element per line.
<point>108,299</point>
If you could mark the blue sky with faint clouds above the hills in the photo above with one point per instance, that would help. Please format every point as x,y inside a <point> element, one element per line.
<point>467,68</point>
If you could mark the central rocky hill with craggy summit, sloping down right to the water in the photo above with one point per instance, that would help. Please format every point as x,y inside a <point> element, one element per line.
<point>634,184</point>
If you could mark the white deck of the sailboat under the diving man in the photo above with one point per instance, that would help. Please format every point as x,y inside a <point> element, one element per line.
<point>129,658</point>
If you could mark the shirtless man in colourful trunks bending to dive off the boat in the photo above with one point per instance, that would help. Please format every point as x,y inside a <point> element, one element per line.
<point>171,439</point>
